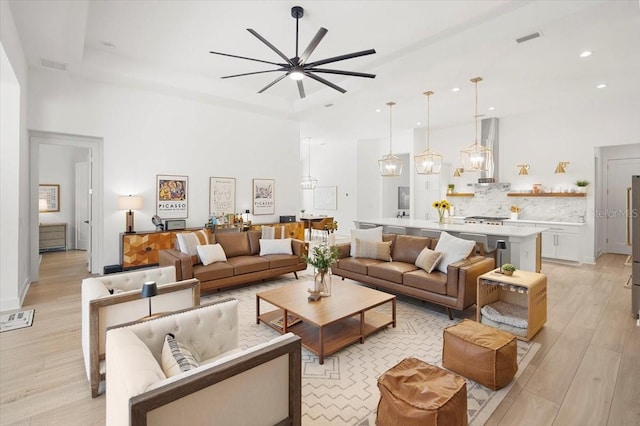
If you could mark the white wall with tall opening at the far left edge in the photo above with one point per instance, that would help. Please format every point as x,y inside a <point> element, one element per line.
<point>14,174</point>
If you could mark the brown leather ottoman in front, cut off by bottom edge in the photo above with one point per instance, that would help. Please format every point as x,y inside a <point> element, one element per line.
<point>416,393</point>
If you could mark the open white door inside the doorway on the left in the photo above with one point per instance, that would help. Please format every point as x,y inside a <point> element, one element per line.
<point>83,209</point>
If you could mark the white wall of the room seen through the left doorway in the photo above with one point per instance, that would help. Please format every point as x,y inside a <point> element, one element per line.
<point>57,166</point>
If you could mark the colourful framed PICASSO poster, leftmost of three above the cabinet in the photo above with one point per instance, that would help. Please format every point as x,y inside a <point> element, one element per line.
<point>172,196</point>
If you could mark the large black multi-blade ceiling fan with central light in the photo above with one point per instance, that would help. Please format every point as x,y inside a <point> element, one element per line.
<point>298,67</point>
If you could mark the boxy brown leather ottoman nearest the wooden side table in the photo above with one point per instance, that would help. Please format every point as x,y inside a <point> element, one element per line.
<point>481,353</point>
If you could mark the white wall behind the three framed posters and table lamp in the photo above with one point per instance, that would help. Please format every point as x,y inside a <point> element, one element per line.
<point>149,133</point>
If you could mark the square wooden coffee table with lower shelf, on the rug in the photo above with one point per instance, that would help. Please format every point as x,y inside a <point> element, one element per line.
<point>331,323</point>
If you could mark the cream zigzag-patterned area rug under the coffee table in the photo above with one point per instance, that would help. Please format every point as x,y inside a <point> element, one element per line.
<point>344,389</point>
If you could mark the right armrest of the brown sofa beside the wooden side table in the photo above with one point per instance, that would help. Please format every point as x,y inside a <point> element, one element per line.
<point>462,279</point>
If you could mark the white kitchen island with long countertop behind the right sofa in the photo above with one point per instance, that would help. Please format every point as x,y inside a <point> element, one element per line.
<point>523,242</point>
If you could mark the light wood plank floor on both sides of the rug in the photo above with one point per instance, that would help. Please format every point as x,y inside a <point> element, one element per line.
<point>586,373</point>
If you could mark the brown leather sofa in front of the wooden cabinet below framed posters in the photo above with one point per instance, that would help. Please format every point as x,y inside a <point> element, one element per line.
<point>244,264</point>
